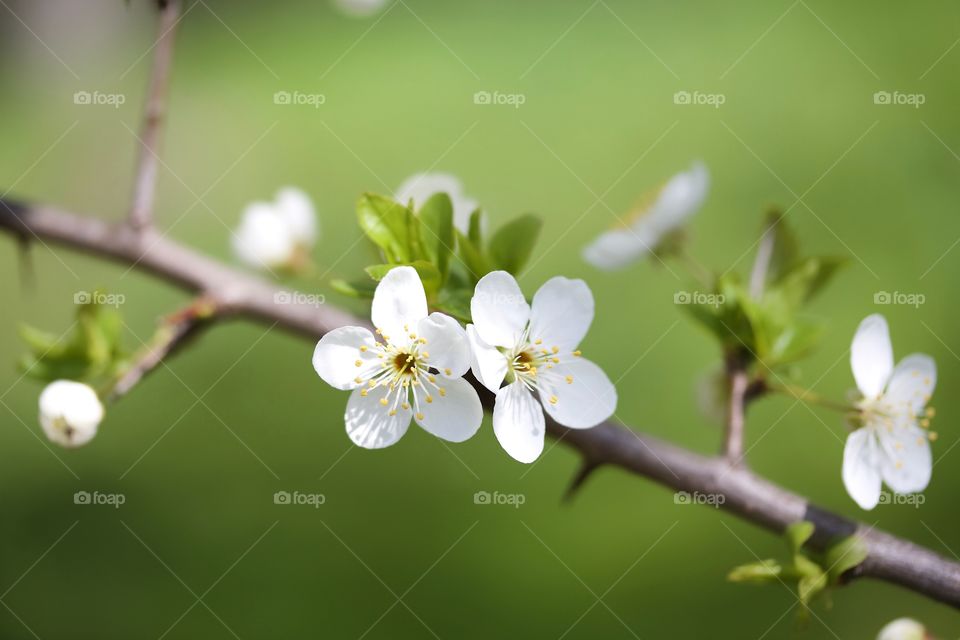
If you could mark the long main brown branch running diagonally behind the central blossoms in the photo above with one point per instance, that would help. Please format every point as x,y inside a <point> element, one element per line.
<point>745,494</point>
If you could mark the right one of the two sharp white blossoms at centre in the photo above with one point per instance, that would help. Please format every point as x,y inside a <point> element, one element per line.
<point>533,348</point>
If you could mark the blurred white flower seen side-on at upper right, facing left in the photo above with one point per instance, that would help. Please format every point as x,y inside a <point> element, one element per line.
<point>679,199</point>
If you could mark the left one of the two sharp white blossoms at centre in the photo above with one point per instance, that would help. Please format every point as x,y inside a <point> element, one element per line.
<point>415,371</point>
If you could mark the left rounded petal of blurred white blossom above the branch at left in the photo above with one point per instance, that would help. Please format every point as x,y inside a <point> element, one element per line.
<point>263,240</point>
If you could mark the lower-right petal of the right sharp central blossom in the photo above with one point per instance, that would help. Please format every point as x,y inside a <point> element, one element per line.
<point>584,395</point>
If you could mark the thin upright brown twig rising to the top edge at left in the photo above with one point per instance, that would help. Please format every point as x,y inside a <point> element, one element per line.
<point>145,185</point>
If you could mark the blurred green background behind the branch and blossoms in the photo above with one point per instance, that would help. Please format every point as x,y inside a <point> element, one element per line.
<point>201,447</point>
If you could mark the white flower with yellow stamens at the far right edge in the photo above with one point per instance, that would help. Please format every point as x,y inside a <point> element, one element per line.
<point>893,445</point>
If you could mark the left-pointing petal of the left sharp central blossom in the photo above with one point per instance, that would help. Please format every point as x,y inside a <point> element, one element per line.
<point>345,354</point>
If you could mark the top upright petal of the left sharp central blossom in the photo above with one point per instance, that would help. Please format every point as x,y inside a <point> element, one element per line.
<point>399,303</point>
